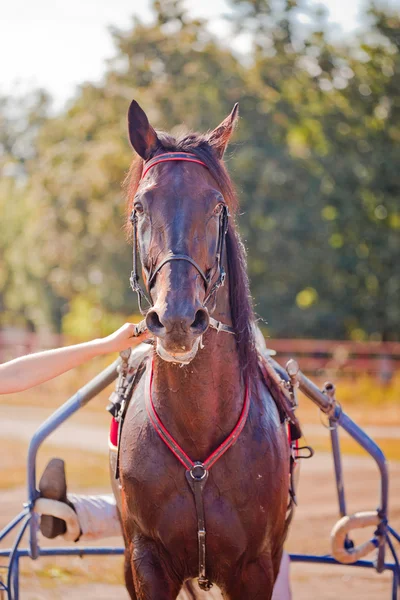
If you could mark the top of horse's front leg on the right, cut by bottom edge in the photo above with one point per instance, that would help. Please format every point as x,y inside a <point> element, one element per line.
<point>256,581</point>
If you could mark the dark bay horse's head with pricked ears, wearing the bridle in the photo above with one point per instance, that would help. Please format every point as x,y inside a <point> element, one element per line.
<point>180,218</point>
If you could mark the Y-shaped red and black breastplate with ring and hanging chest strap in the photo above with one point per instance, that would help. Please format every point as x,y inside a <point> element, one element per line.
<point>197,471</point>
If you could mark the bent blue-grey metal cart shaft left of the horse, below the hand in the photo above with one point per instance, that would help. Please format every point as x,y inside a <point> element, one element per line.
<point>77,401</point>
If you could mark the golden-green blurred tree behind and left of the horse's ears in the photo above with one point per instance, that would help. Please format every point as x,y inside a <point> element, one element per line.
<point>173,68</point>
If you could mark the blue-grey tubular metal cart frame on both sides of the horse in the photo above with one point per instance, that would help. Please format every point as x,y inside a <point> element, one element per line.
<point>325,400</point>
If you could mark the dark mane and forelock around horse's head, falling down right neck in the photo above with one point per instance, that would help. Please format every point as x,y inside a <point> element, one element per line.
<point>239,289</point>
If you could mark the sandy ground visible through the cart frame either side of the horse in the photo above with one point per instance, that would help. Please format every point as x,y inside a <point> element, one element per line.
<point>101,578</point>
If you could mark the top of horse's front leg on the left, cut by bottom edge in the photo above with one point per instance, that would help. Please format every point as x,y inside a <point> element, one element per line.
<point>151,576</point>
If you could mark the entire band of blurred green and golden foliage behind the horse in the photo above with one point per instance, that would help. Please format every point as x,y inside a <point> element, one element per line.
<point>315,159</point>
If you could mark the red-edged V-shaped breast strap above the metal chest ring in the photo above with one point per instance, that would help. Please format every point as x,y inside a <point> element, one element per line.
<point>173,445</point>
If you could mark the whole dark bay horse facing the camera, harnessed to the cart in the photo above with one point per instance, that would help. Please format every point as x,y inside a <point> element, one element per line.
<point>200,385</point>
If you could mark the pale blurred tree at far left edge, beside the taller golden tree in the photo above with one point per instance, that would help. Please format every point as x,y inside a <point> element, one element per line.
<point>25,298</point>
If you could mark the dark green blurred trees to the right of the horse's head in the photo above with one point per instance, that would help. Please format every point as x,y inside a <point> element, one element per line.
<point>321,180</point>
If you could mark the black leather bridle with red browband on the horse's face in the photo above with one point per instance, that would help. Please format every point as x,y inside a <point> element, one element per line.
<point>210,287</point>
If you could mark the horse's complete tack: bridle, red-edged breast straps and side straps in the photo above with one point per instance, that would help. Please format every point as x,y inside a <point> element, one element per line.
<point>196,472</point>
